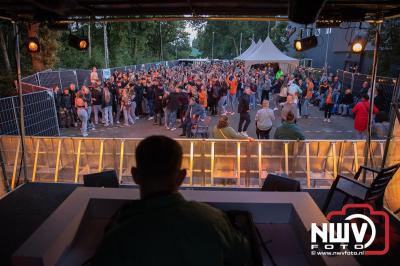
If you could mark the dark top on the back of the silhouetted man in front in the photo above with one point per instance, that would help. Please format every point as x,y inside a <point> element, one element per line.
<point>168,230</point>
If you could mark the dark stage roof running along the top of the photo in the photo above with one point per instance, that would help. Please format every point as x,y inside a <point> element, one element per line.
<point>62,9</point>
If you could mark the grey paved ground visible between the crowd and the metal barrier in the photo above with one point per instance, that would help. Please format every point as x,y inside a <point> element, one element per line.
<point>313,127</point>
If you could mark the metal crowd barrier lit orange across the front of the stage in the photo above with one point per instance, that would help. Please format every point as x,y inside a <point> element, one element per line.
<point>210,162</point>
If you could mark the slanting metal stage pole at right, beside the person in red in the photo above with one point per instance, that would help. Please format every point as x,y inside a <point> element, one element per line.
<point>371,101</point>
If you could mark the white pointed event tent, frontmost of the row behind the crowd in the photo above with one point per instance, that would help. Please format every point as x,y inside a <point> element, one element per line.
<point>267,52</point>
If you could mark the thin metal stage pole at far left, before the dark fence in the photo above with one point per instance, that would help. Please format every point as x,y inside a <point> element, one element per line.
<point>21,102</point>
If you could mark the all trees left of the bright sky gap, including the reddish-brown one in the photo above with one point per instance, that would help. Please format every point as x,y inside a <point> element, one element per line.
<point>128,44</point>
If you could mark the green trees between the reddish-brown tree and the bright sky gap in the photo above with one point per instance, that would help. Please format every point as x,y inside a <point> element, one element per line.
<point>128,43</point>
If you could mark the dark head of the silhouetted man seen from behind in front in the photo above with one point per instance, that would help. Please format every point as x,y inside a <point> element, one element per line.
<point>158,166</point>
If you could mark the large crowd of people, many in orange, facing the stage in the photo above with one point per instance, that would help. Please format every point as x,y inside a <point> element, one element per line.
<point>190,93</point>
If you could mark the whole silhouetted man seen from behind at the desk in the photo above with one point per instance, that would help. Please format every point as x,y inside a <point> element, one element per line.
<point>163,228</point>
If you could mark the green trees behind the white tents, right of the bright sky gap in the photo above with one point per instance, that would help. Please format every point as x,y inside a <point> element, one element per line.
<point>227,36</point>
